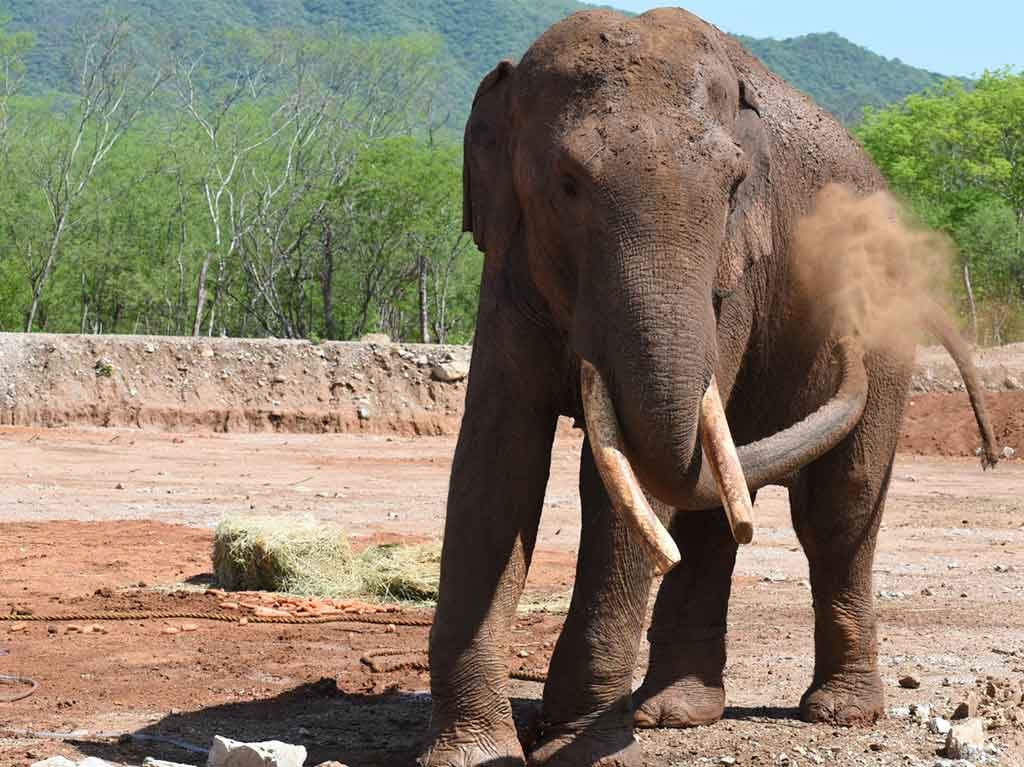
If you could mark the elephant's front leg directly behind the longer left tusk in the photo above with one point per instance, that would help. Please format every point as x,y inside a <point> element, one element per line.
<point>588,718</point>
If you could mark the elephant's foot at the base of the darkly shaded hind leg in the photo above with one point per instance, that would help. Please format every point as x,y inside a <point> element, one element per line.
<point>684,688</point>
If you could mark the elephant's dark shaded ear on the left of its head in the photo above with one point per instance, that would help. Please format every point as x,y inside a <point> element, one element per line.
<point>491,209</point>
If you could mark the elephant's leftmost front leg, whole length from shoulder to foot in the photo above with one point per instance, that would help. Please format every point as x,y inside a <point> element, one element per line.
<point>495,500</point>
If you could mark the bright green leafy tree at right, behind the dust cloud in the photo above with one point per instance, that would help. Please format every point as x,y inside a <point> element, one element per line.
<point>958,156</point>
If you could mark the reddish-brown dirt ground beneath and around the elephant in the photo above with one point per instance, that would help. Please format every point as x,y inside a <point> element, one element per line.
<point>105,519</point>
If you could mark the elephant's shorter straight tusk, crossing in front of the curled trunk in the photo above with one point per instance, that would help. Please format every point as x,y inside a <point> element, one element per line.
<point>720,451</point>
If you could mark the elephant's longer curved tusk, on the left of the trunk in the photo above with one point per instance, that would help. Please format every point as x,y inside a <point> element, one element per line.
<point>624,491</point>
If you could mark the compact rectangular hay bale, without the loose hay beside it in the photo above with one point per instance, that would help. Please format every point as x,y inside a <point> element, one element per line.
<point>284,556</point>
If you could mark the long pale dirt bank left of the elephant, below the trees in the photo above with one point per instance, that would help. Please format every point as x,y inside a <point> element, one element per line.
<point>230,386</point>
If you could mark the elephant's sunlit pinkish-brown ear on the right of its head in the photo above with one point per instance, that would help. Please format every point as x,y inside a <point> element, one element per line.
<point>749,230</point>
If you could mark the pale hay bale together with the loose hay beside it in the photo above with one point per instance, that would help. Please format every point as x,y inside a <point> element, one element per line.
<point>311,559</point>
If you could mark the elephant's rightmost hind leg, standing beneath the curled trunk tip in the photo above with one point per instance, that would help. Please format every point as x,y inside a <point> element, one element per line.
<point>837,506</point>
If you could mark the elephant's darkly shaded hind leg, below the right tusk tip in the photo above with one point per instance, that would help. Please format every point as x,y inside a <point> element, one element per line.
<point>684,687</point>
